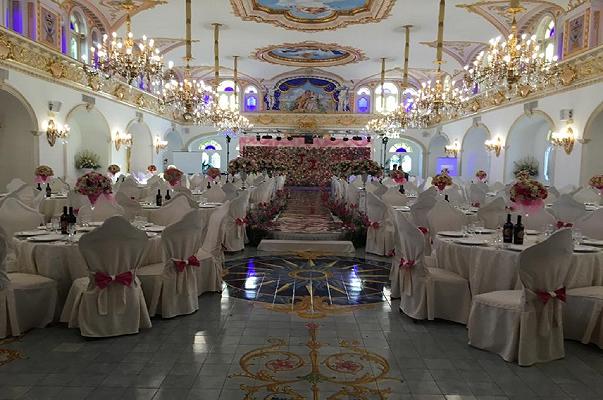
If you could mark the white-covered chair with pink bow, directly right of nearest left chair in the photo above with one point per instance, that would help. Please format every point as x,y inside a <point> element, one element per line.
<point>170,288</point>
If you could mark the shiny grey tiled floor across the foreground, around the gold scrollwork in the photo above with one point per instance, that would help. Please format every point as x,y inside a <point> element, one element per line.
<point>193,357</point>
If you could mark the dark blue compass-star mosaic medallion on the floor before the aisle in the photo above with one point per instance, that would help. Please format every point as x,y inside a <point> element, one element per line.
<point>312,286</point>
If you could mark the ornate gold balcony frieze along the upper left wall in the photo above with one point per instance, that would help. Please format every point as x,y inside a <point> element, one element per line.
<point>41,62</point>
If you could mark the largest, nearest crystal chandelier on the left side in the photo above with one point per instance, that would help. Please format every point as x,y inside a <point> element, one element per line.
<point>126,58</point>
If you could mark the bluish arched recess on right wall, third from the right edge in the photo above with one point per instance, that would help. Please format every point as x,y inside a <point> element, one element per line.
<point>474,155</point>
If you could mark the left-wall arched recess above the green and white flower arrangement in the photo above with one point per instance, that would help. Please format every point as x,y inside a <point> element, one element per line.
<point>89,132</point>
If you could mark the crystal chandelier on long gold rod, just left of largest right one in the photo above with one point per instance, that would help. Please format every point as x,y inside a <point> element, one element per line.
<point>441,98</point>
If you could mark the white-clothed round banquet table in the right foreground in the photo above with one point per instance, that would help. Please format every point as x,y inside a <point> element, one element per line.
<point>489,268</point>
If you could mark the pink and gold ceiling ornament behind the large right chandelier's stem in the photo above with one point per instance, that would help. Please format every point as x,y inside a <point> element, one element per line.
<point>495,12</point>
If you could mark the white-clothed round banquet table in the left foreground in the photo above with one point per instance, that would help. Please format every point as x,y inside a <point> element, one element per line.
<point>63,262</point>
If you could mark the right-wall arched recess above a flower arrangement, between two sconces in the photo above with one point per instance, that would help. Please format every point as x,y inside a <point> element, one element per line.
<point>528,139</point>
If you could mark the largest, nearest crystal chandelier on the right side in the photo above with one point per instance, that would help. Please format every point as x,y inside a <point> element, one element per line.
<point>517,65</point>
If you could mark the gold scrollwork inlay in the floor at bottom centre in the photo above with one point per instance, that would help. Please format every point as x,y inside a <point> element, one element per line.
<point>276,373</point>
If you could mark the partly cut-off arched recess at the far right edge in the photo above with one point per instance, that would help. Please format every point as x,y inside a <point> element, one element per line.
<point>592,162</point>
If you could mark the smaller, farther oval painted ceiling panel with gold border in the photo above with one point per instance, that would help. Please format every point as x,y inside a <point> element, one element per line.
<point>308,54</point>
